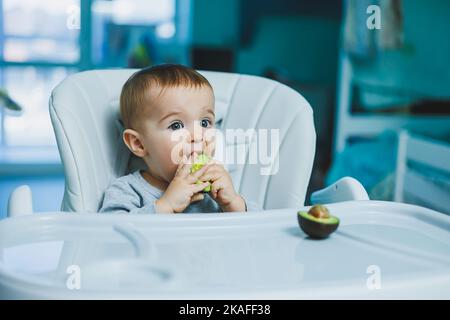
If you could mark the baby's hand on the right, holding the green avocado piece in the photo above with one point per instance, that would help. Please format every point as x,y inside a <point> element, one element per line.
<point>222,189</point>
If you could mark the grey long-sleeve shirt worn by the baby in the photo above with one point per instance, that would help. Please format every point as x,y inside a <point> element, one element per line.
<point>133,194</point>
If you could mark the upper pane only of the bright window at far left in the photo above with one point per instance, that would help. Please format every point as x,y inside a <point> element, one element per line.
<point>40,31</point>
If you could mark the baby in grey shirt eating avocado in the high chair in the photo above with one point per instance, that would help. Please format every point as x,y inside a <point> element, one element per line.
<point>168,115</point>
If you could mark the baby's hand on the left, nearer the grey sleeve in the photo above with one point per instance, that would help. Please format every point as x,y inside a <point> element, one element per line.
<point>183,190</point>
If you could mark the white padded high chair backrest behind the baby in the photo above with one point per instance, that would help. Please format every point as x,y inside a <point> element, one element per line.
<point>84,113</point>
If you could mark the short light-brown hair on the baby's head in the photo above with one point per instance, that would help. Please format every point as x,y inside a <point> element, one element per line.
<point>135,92</point>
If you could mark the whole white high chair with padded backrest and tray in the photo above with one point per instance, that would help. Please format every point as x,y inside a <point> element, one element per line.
<point>264,255</point>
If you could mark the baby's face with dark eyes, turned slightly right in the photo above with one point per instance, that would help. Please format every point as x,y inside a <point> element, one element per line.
<point>178,123</point>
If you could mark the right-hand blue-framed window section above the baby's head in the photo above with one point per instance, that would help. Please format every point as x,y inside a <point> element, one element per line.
<point>126,32</point>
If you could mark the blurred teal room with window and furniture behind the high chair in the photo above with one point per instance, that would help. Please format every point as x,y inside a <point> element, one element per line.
<point>370,89</point>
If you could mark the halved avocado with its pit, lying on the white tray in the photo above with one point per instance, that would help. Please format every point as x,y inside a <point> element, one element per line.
<point>317,222</point>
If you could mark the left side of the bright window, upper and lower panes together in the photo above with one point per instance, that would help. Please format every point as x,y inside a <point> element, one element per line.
<point>39,47</point>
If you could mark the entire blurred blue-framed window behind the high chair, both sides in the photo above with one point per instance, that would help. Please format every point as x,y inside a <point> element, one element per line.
<point>42,42</point>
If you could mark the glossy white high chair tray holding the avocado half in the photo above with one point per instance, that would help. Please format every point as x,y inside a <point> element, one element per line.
<point>380,250</point>
